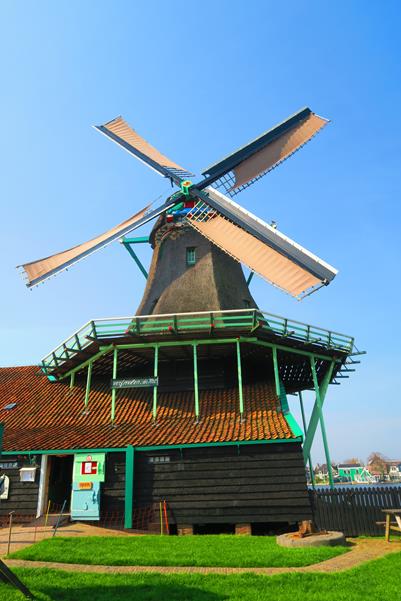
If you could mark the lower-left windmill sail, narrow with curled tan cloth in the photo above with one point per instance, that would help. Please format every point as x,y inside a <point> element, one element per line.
<point>42,269</point>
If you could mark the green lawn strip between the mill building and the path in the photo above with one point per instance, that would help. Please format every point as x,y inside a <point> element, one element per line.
<point>223,550</point>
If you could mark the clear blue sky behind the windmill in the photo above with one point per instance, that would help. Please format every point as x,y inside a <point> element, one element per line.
<point>199,79</point>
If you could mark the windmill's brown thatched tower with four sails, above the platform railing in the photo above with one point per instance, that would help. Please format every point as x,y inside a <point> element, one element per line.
<point>205,214</point>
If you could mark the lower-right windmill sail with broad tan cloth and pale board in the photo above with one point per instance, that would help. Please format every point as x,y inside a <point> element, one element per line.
<point>251,241</point>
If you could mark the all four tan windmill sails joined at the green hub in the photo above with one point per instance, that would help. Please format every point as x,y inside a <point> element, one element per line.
<point>241,235</point>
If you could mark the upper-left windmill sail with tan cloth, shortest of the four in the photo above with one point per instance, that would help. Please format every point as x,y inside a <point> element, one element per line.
<point>122,134</point>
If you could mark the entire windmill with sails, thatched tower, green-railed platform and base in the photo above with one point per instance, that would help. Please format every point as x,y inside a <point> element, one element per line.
<point>217,369</point>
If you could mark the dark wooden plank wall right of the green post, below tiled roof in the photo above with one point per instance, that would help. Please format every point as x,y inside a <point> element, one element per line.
<point>231,484</point>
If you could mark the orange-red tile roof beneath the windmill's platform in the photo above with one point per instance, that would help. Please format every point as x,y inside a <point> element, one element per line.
<point>49,415</point>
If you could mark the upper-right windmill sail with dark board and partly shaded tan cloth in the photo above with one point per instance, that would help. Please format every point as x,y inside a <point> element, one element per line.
<point>253,161</point>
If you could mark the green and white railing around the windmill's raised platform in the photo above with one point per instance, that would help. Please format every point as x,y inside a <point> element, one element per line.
<point>249,320</point>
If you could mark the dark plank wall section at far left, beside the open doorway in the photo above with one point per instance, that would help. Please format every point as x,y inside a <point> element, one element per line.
<point>23,496</point>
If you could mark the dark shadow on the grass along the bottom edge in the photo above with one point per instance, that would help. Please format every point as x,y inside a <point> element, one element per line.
<point>128,592</point>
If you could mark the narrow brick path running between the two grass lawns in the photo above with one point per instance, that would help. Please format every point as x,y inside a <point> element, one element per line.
<point>362,550</point>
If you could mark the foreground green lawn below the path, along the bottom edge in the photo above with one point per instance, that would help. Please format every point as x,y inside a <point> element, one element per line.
<point>377,581</point>
